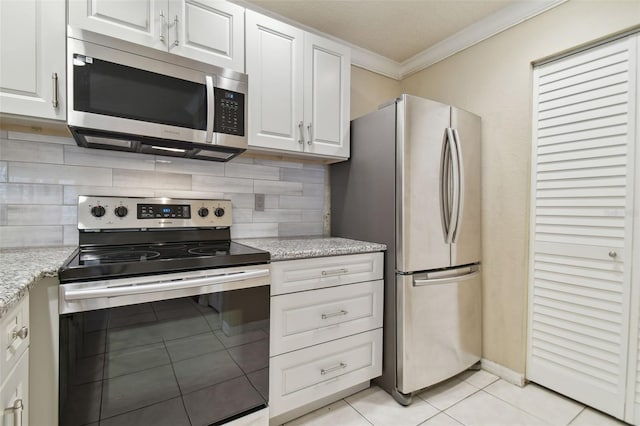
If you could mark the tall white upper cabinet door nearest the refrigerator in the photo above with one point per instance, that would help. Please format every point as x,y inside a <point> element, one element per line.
<point>327,90</point>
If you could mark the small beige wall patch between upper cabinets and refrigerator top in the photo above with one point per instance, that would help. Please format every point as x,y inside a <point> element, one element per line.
<point>368,90</point>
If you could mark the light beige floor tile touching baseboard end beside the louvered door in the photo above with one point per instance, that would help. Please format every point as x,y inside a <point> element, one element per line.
<point>538,401</point>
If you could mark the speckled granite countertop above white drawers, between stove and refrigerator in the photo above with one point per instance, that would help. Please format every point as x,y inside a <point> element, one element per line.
<point>300,248</point>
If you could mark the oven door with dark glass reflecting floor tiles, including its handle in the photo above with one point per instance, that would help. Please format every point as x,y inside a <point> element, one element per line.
<point>176,349</point>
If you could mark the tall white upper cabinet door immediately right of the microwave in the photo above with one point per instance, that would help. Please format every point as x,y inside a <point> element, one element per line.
<point>274,65</point>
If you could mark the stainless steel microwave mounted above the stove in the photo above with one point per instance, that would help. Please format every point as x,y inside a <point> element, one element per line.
<point>129,98</point>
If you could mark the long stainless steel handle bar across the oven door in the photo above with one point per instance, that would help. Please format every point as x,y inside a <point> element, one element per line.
<point>133,289</point>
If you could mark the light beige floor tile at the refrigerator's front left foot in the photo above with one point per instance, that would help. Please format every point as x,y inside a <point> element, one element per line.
<point>380,409</point>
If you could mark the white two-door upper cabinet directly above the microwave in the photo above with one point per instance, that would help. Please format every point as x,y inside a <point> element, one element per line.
<point>210,31</point>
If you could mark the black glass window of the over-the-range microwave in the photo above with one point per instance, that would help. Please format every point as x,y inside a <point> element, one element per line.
<point>102,87</point>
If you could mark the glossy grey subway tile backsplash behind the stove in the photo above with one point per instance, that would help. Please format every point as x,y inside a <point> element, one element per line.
<point>42,176</point>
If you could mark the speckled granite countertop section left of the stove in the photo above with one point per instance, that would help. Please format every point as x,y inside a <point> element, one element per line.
<point>21,268</point>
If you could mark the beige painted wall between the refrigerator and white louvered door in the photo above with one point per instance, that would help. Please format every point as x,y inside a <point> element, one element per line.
<point>494,80</point>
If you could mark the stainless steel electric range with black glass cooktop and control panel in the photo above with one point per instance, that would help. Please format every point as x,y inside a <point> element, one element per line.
<point>162,316</point>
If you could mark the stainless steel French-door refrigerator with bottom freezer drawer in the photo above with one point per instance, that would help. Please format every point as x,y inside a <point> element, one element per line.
<point>413,183</point>
